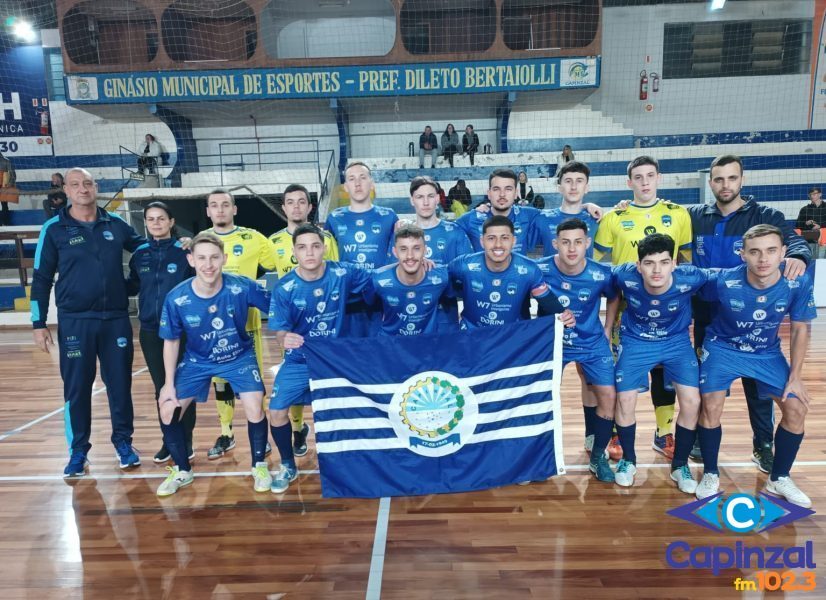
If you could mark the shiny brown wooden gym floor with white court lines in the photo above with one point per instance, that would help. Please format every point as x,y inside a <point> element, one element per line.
<point>109,536</point>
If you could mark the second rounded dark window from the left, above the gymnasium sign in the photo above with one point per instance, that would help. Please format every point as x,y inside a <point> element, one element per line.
<point>209,30</point>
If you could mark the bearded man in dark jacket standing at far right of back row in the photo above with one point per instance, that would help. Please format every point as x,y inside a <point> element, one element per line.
<point>718,237</point>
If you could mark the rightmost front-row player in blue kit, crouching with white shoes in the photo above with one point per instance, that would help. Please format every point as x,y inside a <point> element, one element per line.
<point>742,341</point>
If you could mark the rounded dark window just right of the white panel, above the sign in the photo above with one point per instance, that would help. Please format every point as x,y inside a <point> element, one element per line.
<point>438,27</point>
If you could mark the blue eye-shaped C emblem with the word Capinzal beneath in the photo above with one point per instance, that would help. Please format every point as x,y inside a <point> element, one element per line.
<point>740,514</point>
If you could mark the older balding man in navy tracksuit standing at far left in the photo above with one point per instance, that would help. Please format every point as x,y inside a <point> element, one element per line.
<point>85,245</point>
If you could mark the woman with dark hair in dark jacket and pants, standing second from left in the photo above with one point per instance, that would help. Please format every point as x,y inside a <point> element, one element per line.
<point>157,267</point>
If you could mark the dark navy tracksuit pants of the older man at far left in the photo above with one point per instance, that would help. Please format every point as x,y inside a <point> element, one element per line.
<point>82,342</point>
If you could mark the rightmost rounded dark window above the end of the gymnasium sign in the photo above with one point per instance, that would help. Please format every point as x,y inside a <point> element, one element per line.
<point>537,25</point>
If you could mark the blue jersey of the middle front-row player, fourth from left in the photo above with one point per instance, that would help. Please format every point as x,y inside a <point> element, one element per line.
<point>495,298</point>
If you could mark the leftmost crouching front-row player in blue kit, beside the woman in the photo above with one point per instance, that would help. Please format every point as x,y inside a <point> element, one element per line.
<point>210,311</point>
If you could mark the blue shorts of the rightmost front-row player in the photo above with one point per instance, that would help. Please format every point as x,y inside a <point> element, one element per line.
<point>720,365</point>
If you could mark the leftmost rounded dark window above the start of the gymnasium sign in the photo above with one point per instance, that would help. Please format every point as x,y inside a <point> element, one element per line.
<point>110,32</point>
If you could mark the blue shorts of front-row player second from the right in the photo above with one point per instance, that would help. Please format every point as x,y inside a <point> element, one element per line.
<point>636,358</point>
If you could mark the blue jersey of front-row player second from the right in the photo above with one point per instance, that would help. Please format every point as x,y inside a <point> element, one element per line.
<point>657,317</point>
